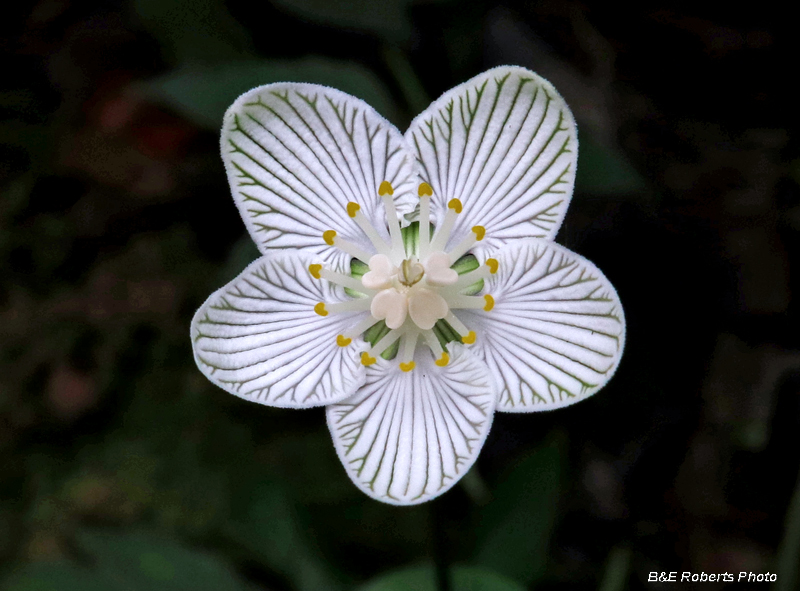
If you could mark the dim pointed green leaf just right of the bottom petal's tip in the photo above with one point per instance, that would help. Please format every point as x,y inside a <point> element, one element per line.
<point>513,531</point>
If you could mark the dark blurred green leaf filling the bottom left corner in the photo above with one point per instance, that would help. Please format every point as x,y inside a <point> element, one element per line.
<point>129,562</point>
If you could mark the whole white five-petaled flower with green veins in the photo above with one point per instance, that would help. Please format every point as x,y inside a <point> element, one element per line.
<point>322,182</point>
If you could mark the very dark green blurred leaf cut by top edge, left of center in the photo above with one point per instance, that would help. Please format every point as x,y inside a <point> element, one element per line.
<point>195,30</point>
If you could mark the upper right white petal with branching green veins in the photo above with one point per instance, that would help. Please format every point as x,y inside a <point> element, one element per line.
<point>505,145</point>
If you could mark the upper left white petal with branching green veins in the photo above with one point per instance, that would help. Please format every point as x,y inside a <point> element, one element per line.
<point>297,154</point>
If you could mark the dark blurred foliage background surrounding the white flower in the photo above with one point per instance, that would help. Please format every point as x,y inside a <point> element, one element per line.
<point>123,468</point>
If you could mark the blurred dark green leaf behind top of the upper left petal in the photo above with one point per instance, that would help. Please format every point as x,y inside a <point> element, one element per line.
<point>203,93</point>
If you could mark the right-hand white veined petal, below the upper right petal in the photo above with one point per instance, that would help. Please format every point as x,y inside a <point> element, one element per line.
<point>556,332</point>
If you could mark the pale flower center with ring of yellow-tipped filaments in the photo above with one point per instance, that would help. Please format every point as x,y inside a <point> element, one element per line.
<point>415,293</point>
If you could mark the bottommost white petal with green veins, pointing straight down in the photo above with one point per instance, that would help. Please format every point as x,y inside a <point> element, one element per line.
<point>407,437</point>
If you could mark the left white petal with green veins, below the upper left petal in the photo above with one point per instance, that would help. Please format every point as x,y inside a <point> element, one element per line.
<point>260,338</point>
